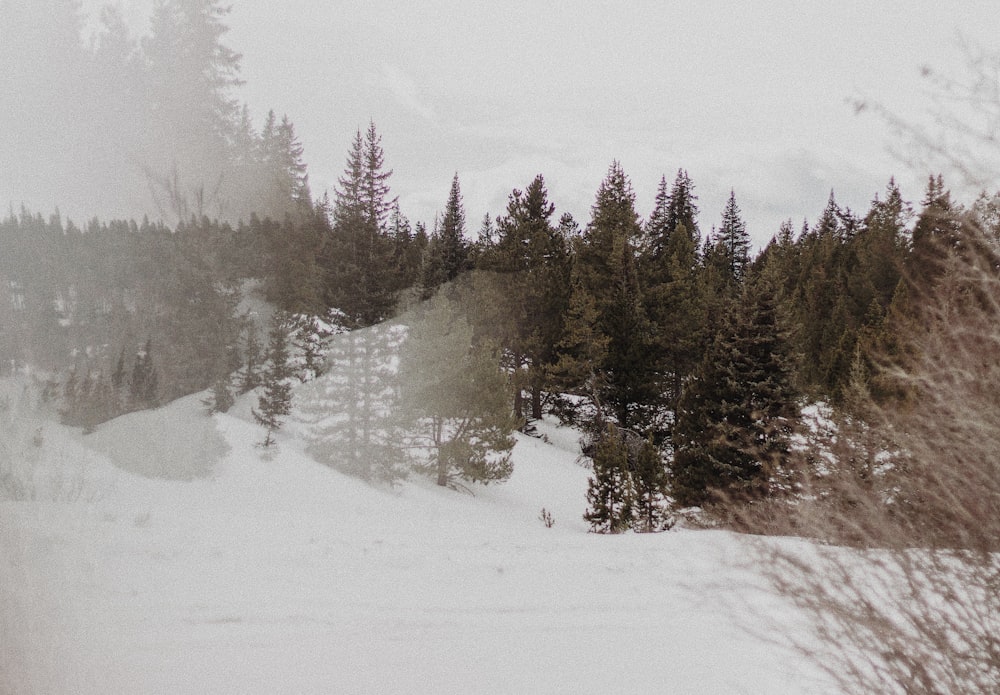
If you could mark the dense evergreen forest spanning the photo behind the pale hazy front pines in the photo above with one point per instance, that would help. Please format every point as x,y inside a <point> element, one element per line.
<point>665,333</point>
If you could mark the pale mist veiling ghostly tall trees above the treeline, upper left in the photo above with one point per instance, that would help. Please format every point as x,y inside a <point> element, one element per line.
<point>106,123</point>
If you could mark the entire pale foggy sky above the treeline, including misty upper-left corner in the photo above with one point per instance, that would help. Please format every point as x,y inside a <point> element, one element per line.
<point>751,99</point>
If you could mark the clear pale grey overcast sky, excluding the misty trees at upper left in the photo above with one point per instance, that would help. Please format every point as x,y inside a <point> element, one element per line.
<point>749,96</point>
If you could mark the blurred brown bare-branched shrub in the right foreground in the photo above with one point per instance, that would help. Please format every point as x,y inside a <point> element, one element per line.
<point>903,499</point>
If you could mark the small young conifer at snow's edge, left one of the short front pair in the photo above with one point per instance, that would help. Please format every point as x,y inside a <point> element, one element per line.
<point>610,491</point>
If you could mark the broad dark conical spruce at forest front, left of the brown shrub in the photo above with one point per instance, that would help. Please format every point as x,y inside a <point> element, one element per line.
<point>737,413</point>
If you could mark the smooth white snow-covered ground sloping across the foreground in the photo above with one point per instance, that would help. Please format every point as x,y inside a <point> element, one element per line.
<point>184,560</point>
